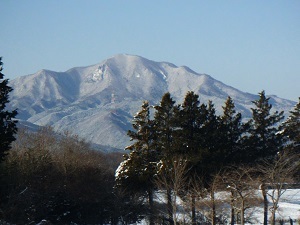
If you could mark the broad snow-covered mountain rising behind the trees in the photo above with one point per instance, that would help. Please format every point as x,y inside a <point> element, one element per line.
<point>98,102</point>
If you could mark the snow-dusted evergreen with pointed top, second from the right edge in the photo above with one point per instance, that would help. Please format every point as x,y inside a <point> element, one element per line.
<point>264,140</point>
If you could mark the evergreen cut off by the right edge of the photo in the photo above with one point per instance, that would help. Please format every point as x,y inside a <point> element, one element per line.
<point>291,128</point>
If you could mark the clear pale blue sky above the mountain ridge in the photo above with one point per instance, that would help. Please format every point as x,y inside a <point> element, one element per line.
<point>252,45</point>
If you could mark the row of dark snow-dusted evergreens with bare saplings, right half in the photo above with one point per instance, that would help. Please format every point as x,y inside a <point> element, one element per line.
<point>188,151</point>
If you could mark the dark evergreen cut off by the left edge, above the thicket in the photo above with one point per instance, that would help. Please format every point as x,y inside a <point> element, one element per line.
<point>8,127</point>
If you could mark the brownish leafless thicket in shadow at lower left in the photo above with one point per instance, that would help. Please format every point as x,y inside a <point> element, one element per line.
<point>57,178</point>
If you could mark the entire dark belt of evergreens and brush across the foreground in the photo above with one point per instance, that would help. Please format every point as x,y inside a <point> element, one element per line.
<point>181,158</point>
